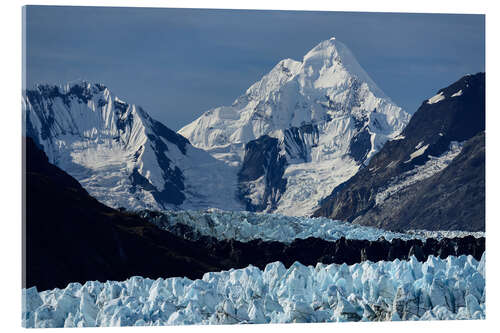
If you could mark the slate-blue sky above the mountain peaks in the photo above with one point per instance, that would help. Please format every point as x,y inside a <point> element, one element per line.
<point>178,63</point>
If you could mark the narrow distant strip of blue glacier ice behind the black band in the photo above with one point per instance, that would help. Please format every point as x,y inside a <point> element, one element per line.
<point>247,226</point>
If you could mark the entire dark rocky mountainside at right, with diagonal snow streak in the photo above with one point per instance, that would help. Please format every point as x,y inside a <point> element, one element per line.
<point>431,177</point>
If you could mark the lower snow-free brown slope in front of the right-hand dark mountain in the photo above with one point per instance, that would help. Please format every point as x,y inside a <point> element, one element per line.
<point>453,199</point>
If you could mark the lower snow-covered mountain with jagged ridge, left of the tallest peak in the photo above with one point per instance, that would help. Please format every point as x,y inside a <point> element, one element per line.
<point>121,155</point>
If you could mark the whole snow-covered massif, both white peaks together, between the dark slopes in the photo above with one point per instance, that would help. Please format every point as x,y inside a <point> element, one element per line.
<point>282,146</point>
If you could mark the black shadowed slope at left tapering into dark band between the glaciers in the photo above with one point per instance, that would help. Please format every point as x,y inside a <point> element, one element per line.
<point>71,237</point>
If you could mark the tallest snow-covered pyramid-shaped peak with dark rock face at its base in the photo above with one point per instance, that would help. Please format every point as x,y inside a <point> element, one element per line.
<point>327,118</point>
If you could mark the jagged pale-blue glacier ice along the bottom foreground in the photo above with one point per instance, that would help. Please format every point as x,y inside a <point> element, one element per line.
<point>438,289</point>
